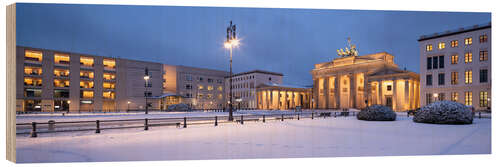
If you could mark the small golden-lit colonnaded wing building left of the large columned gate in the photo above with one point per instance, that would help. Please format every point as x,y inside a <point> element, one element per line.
<point>283,97</point>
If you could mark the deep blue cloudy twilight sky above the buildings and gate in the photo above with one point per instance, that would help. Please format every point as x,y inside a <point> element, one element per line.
<point>289,41</point>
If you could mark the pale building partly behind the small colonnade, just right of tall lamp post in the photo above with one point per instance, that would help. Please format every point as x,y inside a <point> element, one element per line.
<point>245,86</point>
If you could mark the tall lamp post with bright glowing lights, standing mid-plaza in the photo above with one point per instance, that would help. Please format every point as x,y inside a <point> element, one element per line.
<point>231,41</point>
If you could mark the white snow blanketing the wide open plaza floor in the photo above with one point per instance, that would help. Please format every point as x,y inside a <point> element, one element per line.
<point>318,137</point>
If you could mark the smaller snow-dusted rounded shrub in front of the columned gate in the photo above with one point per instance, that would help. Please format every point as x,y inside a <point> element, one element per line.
<point>377,113</point>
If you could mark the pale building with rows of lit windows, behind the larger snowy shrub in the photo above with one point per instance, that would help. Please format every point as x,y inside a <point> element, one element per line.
<point>456,65</point>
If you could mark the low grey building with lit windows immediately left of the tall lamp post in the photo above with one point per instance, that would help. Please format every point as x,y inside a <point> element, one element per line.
<point>198,87</point>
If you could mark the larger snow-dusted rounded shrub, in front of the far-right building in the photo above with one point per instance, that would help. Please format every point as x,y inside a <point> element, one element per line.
<point>445,112</point>
